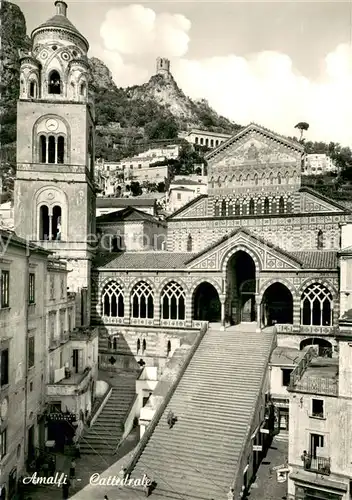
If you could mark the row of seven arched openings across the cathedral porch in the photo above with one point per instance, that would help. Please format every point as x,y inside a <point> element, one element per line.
<point>276,301</point>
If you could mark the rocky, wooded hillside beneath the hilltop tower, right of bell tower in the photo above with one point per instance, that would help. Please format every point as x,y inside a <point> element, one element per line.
<point>155,110</point>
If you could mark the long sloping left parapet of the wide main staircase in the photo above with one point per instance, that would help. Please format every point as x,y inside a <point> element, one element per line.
<point>160,410</point>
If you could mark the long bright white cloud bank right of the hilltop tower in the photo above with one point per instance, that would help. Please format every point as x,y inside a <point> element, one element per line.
<point>265,88</point>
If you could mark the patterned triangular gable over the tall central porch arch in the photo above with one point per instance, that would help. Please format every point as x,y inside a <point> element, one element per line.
<point>267,256</point>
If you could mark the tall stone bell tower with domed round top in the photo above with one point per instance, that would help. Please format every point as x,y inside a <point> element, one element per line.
<point>54,186</point>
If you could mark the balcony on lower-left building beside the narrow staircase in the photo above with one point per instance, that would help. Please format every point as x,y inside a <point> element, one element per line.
<point>72,384</point>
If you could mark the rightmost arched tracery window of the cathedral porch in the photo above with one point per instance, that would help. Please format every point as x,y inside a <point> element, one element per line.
<point>317,306</point>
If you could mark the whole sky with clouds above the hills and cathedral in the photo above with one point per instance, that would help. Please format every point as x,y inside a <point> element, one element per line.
<point>273,63</point>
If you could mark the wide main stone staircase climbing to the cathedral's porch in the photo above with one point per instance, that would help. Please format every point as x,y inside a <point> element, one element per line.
<point>214,404</point>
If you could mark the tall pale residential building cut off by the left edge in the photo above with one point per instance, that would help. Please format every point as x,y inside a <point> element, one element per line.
<point>22,345</point>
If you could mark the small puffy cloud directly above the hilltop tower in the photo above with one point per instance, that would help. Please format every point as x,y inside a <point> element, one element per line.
<point>136,29</point>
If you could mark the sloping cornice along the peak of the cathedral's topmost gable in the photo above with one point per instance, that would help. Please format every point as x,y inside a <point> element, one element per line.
<point>249,132</point>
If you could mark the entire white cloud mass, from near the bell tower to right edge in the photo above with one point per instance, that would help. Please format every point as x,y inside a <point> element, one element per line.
<point>264,87</point>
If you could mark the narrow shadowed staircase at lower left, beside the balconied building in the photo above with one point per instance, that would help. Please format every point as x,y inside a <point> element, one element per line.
<point>105,434</point>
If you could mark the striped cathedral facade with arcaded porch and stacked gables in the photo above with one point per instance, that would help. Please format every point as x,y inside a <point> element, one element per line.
<point>258,248</point>
